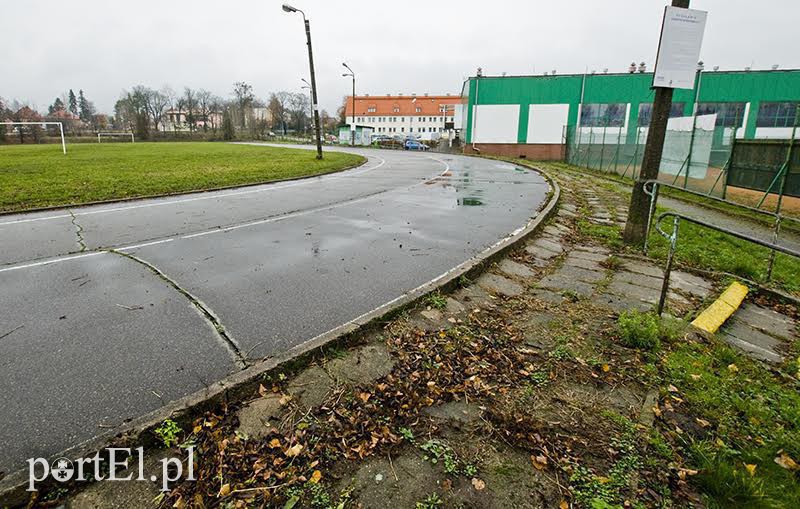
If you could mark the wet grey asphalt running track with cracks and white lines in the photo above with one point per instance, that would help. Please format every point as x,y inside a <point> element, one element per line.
<point>115,310</point>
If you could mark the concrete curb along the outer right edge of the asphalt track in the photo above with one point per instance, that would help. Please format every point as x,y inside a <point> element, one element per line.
<point>244,384</point>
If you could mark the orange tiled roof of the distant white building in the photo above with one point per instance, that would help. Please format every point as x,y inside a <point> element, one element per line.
<point>402,105</point>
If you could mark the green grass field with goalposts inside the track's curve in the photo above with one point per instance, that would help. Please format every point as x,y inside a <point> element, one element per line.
<point>33,176</point>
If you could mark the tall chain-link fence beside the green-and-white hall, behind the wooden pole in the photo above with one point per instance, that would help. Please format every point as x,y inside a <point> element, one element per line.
<point>700,155</point>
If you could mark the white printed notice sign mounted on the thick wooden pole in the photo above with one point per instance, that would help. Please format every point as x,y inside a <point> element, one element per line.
<point>679,47</point>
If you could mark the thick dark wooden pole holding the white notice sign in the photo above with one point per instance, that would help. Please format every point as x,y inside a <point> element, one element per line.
<point>636,226</point>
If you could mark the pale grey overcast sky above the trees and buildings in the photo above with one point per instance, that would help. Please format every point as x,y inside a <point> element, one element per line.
<point>403,46</point>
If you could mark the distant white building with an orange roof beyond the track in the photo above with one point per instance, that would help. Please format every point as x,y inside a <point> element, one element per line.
<point>421,116</point>
